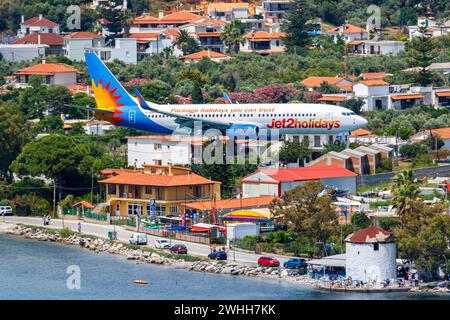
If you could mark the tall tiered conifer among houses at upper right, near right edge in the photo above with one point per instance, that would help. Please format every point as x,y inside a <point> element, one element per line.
<point>421,53</point>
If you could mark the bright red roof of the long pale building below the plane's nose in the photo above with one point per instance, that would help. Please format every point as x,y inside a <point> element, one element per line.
<point>306,173</point>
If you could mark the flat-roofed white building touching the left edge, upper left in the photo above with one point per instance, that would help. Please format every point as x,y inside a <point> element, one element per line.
<point>22,52</point>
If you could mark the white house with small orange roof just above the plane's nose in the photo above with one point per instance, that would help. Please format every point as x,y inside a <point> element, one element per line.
<point>374,93</point>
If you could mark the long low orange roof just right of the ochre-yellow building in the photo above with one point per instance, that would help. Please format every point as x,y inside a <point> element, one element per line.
<point>231,203</point>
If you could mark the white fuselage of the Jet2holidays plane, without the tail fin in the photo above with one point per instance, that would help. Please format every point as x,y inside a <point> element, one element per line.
<point>291,118</point>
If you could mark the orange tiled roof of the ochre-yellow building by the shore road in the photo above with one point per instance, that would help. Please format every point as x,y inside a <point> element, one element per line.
<point>140,178</point>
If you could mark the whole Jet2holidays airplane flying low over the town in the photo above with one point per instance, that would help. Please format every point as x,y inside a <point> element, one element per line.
<point>116,105</point>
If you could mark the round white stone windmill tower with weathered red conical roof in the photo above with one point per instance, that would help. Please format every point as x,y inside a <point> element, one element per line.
<point>371,255</point>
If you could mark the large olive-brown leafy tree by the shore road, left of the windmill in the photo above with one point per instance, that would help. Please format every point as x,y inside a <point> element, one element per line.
<point>310,215</point>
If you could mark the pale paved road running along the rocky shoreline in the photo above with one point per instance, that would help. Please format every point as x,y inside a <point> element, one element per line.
<point>101,231</point>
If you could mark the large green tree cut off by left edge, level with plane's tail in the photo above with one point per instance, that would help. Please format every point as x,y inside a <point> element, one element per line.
<point>15,132</point>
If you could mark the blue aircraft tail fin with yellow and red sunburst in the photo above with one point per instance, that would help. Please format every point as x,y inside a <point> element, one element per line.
<point>108,91</point>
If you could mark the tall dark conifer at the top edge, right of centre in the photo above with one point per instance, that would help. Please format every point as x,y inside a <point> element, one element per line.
<point>296,27</point>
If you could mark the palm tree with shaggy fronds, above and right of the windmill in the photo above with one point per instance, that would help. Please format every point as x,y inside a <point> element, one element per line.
<point>405,191</point>
